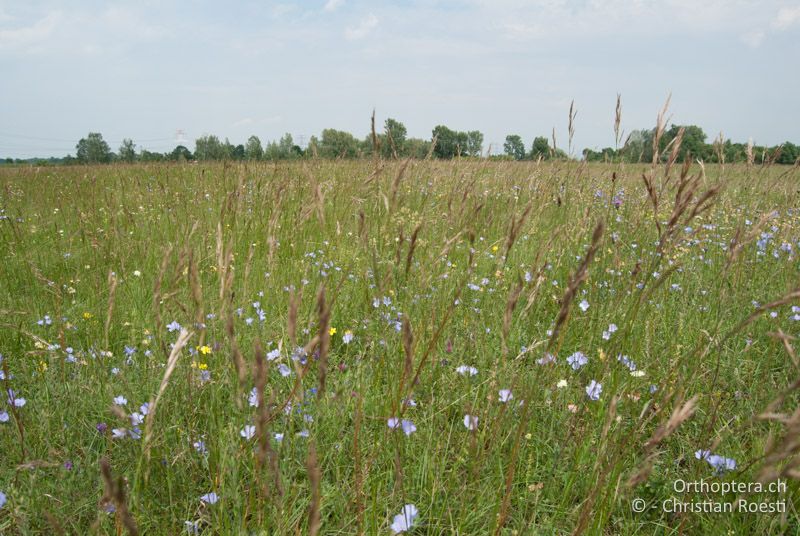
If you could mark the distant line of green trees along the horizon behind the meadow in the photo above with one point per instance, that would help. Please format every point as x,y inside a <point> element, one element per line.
<point>445,143</point>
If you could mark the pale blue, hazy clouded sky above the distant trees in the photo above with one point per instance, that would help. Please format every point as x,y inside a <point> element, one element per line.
<point>161,71</point>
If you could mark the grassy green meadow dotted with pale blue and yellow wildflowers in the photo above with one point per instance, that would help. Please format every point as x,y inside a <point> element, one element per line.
<point>378,346</point>
